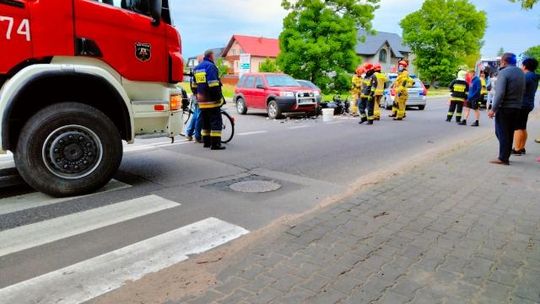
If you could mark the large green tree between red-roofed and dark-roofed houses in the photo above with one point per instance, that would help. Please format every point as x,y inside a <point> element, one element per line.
<point>319,39</point>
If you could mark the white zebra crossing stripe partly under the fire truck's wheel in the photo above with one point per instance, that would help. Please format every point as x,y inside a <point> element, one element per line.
<point>38,199</point>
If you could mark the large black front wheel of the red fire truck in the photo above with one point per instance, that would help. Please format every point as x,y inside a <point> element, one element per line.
<point>68,149</point>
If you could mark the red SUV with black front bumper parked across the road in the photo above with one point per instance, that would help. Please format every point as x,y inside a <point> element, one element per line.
<point>276,93</point>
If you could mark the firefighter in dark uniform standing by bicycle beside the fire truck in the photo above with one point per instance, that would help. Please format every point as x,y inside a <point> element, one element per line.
<point>210,98</point>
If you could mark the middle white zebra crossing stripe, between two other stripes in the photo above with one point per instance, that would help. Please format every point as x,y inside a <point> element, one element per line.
<point>33,235</point>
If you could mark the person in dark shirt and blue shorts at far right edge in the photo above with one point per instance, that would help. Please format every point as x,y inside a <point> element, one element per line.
<point>531,85</point>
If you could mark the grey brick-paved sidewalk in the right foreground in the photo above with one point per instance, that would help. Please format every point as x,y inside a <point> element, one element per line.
<point>456,231</point>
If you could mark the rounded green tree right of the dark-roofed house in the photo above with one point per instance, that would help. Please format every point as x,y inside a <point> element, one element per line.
<point>442,34</point>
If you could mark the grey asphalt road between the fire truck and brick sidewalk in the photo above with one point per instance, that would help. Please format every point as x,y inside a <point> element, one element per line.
<point>183,183</point>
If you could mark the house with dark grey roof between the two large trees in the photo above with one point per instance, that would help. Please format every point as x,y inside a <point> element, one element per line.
<point>384,48</point>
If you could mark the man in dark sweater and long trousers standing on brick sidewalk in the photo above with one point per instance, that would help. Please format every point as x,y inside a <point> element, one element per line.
<point>507,105</point>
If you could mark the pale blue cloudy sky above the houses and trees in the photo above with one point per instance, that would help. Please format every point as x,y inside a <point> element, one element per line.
<point>211,23</point>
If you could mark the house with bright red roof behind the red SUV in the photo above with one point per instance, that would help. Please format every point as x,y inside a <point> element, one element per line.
<point>259,48</point>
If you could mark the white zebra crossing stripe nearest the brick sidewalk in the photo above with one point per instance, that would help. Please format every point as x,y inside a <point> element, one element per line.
<point>91,278</point>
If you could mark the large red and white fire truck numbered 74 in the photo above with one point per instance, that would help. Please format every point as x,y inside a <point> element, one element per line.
<point>79,76</point>
